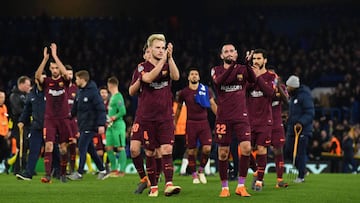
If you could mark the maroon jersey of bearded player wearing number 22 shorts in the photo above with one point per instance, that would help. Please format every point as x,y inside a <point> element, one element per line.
<point>231,98</point>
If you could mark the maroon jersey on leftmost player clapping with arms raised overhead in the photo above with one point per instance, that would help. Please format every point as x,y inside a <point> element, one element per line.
<point>56,106</point>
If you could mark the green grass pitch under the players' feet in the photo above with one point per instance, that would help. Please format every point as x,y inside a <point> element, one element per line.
<point>317,188</point>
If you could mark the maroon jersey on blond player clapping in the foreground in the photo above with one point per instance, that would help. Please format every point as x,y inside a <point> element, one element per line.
<point>156,96</point>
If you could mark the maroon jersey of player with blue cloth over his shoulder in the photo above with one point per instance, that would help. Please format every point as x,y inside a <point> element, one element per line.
<point>195,112</point>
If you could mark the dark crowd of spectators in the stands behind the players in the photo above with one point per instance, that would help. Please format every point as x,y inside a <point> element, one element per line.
<point>320,45</point>
